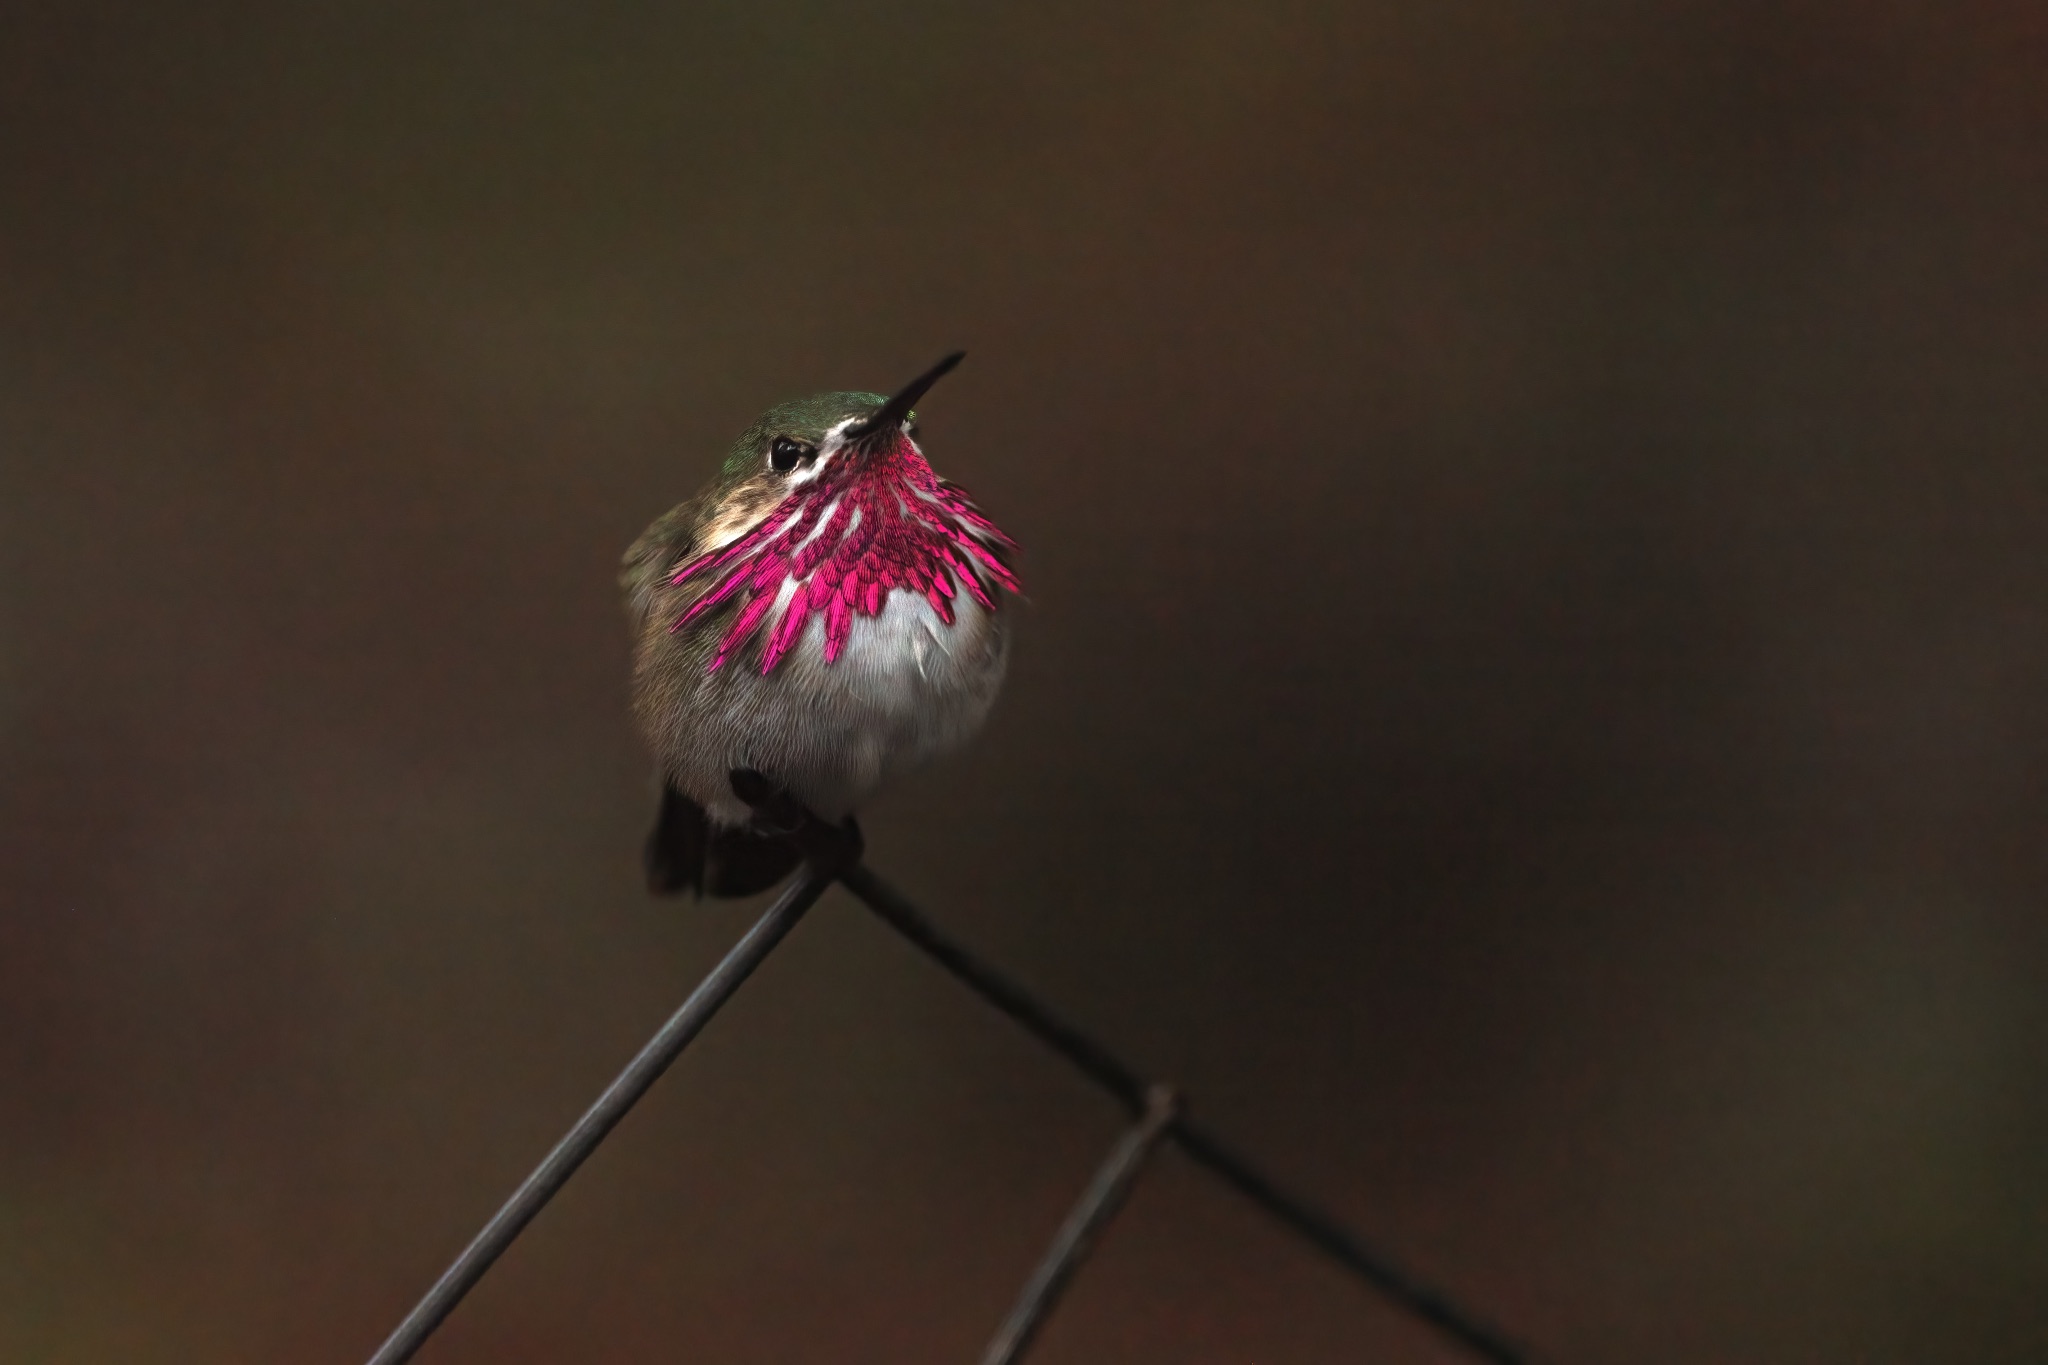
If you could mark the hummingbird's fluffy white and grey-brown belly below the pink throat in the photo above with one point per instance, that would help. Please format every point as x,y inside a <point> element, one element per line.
<point>904,691</point>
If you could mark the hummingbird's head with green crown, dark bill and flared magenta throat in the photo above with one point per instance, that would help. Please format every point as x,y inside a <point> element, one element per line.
<point>826,507</point>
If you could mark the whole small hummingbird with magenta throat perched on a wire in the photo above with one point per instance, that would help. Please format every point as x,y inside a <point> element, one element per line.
<point>820,619</point>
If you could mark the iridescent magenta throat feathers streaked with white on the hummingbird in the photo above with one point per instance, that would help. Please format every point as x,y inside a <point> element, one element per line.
<point>867,525</point>
